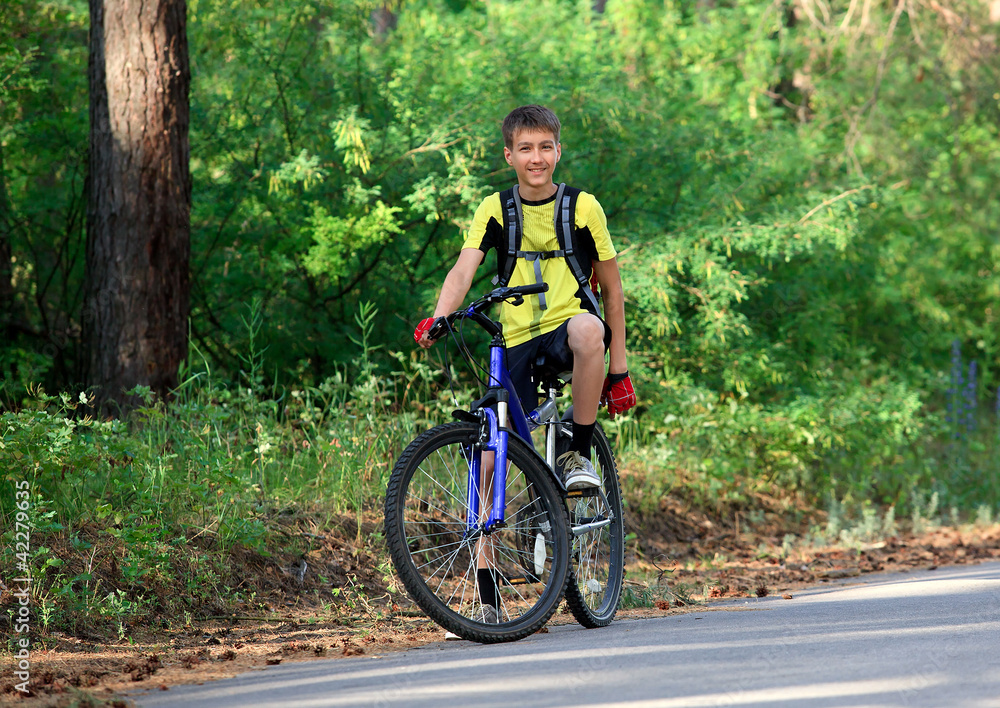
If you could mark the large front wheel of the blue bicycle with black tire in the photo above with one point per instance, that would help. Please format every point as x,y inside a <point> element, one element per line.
<point>425,531</point>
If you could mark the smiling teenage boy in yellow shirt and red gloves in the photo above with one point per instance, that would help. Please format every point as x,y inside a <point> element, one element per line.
<point>564,322</point>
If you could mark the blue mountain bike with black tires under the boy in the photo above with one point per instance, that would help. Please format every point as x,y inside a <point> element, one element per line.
<point>474,496</point>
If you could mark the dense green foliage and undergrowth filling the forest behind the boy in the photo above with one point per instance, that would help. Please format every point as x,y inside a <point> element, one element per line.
<point>802,197</point>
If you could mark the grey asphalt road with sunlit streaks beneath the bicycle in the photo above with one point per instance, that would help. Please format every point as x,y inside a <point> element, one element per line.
<point>915,639</point>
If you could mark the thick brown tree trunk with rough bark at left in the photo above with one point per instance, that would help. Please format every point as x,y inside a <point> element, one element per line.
<point>139,210</point>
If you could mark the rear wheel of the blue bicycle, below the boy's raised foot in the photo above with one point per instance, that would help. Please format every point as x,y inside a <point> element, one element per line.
<point>597,567</point>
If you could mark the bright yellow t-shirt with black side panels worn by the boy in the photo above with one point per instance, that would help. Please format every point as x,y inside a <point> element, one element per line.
<point>523,322</point>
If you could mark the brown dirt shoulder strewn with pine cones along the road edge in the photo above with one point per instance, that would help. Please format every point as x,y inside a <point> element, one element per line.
<point>671,578</point>
